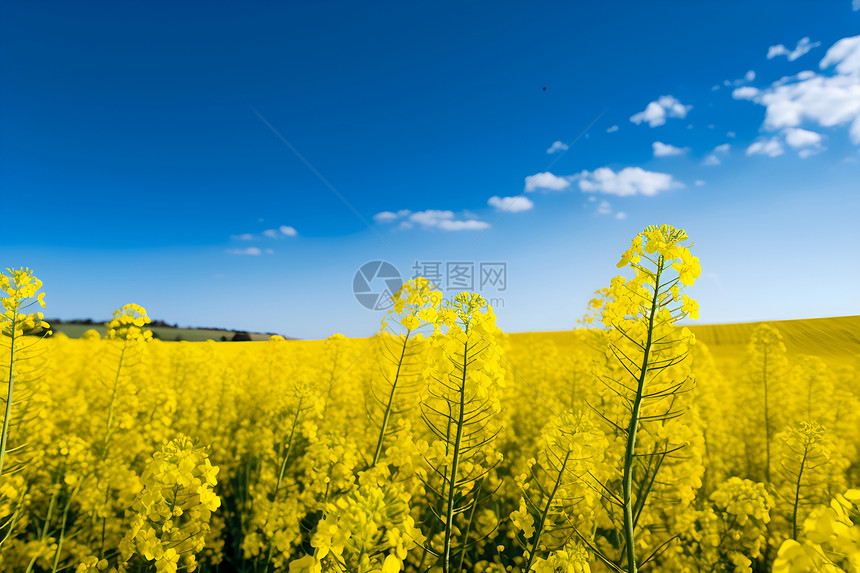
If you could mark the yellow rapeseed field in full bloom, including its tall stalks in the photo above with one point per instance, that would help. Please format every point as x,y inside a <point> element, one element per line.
<point>439,445</point>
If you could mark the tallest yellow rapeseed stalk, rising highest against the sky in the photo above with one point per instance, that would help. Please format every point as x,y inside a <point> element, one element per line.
<point>649,353</point>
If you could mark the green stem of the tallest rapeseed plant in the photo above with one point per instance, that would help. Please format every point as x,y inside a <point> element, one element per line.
<point>627,482</point>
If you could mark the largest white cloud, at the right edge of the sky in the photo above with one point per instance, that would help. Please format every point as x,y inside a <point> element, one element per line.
<point>823,100</point>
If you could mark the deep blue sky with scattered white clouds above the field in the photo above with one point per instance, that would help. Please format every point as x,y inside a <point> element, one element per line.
<point>152,154</point>
